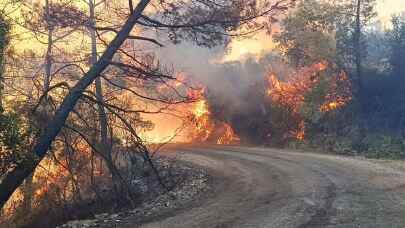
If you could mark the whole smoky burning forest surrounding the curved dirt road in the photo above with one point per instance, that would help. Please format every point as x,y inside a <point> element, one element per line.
<point>83,86</point>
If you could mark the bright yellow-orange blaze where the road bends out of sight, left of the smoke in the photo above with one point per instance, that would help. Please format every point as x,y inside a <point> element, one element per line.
<point>191,121</point>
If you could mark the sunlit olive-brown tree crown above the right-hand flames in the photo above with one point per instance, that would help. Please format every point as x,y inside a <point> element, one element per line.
<point>308,33</point>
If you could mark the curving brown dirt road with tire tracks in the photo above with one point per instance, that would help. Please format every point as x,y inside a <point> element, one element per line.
<point>256,187</point>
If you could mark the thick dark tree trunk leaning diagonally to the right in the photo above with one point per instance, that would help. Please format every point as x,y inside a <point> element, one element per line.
<point>13,179</point>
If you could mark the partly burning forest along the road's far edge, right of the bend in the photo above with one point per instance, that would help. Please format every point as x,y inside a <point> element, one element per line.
<point>332,82</point>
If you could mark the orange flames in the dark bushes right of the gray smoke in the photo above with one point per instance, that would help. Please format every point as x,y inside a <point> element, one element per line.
<point>313,85</point>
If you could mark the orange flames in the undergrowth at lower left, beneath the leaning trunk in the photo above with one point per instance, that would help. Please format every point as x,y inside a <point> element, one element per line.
<point>52,180</point>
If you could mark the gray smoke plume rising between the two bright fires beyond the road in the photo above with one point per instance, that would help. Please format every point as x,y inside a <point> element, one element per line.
<point>236,91</point>
